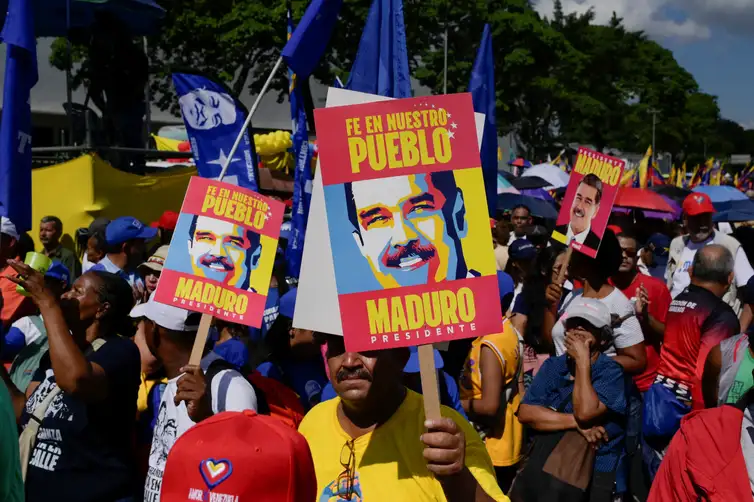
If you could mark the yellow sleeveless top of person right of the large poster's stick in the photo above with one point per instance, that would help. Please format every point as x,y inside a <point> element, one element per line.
<point>504,443</point>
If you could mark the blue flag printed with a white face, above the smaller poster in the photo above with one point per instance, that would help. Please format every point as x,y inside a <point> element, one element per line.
<point>213,120</point>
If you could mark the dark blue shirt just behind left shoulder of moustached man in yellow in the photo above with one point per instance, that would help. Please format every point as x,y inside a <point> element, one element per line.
<point>306,378</point>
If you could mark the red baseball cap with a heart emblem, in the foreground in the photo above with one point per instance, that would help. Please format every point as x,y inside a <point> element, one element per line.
<point>240,456</point>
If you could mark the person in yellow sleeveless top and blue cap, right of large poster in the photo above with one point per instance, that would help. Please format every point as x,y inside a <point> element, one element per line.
<point>491,390</point>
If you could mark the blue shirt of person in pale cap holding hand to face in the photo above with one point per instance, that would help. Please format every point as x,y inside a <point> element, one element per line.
<point>554,384</point>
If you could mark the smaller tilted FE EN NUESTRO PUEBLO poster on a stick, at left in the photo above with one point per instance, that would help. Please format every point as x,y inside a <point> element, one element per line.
<point>221,255</point>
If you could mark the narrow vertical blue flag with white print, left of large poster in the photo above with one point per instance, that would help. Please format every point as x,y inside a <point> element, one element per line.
<point>302,181</point>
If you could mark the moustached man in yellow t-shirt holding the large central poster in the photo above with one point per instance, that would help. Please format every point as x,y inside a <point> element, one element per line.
<point>372,442</point>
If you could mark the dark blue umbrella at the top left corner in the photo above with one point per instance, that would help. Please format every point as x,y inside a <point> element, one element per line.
<point>141,17</point>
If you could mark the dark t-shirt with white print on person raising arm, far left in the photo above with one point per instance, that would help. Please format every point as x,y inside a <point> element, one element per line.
<point>86,451</point>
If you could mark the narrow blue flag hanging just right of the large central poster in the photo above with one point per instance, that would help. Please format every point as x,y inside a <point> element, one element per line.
<point>482,89</point>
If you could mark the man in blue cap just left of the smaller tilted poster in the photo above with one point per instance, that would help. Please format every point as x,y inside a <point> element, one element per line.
<point>126,240</point>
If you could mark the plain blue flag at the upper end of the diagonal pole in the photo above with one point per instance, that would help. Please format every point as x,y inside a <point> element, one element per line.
<point>307,44</point>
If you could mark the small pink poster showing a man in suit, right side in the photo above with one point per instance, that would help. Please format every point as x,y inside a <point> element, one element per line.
<point>588,201</point>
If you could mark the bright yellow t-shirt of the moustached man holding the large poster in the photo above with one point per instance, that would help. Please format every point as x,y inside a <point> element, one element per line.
<point>389,462</point>
